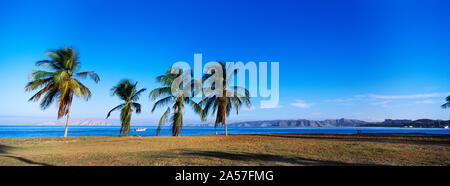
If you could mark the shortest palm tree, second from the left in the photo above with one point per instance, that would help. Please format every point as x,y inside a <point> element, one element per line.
<point>126,91</point>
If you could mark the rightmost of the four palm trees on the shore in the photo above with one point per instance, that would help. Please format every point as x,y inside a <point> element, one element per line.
<point>222,105</point>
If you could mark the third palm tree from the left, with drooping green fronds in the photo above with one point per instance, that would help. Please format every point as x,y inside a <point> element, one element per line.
<point>175,104</point>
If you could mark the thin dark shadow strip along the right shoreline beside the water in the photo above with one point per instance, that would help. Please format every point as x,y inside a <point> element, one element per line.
<point>365,138</point>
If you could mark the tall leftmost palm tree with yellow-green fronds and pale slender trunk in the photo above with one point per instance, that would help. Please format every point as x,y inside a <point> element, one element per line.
<point>61,82</point>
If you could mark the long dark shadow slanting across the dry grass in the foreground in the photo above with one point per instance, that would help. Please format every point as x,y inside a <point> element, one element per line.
<point>271,158</point>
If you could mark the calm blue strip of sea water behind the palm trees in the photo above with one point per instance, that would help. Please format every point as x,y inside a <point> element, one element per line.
<point>14,131</point>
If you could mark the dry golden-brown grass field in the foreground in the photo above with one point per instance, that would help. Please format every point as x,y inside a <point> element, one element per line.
<point>251,149</point>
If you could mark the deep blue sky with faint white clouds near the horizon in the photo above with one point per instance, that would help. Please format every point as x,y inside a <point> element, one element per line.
<point>359,59</point>
